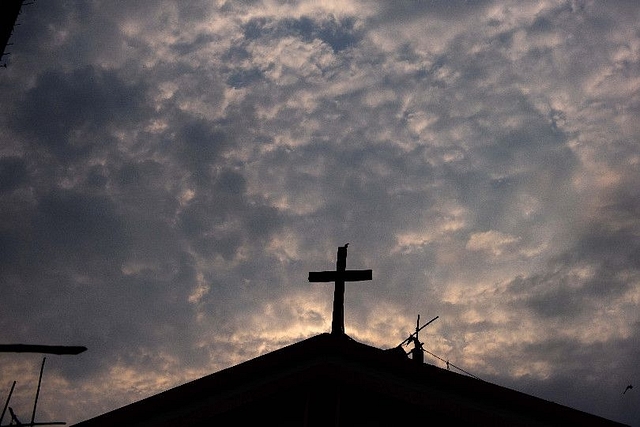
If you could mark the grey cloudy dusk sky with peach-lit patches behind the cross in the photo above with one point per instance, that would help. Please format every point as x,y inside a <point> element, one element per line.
<point>171,171</point>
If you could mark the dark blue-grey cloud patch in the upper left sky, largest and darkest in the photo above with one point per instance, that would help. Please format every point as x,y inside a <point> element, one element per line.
<point>70,113</point>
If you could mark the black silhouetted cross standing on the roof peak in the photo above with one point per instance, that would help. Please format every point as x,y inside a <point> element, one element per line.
<point>339,276</point>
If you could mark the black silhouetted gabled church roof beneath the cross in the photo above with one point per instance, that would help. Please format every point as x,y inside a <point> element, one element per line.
<point>331,378</point>
